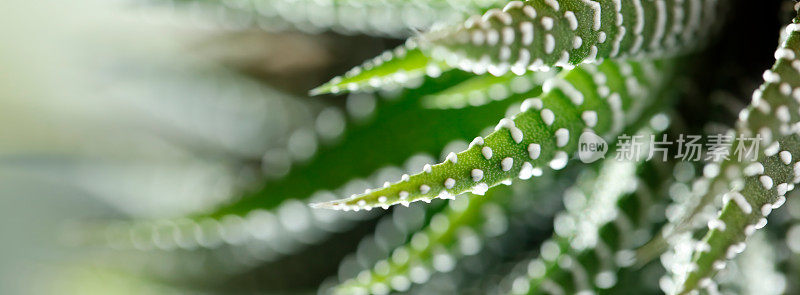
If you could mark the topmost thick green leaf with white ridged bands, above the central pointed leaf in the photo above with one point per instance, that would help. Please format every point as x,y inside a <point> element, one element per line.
<point>532,35</point>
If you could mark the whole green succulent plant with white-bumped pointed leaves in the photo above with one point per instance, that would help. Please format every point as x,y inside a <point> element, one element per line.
<point>528,82</point>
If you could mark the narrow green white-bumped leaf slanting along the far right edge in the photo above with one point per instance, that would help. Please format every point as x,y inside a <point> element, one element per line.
<point>763,184</point>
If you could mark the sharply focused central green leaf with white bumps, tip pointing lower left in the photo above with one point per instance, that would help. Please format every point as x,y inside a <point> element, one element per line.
<point>602,98</point>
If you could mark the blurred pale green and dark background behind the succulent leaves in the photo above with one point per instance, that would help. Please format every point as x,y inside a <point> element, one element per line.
<point>157,109</point>
